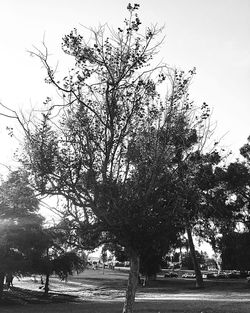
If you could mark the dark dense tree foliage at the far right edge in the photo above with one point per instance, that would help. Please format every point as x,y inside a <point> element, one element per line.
<point>227,206</point>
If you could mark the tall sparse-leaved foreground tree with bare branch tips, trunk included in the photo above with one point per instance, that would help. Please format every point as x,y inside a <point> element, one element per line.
<point>112,145</point>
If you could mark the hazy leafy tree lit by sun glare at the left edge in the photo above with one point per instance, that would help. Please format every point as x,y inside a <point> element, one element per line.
<point>19,220</point>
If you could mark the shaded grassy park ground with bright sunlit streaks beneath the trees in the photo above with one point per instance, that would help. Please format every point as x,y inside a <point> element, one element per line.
<point>95,292</point>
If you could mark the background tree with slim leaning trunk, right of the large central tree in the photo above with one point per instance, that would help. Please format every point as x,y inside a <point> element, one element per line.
<point>193,177</point>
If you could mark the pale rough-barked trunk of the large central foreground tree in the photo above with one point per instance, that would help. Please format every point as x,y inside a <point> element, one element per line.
<point>132,284</point>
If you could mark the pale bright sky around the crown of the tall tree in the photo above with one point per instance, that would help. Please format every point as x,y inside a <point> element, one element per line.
<point>212,35</point>
